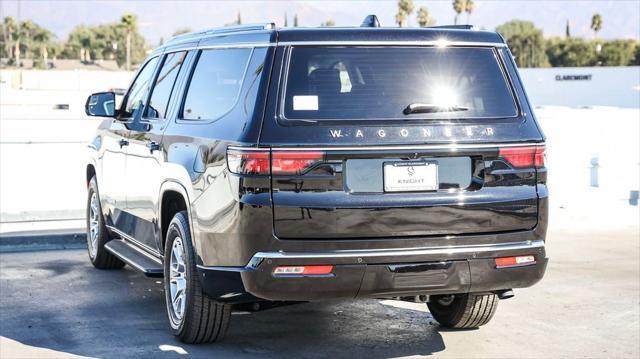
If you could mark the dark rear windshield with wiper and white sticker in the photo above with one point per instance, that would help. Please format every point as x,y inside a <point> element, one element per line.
<point>408,83</point>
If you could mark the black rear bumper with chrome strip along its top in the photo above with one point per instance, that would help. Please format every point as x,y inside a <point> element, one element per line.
<point>377,273</point>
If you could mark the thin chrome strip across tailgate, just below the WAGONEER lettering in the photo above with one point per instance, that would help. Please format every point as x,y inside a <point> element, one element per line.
<point>449,146</point>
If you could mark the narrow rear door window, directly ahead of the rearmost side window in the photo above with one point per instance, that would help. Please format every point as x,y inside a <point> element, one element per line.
<point>164,85</point>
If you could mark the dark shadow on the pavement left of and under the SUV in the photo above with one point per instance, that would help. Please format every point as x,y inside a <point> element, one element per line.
<point>61,302</point>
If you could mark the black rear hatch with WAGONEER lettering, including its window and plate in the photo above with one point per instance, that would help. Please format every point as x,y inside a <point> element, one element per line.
<point>382,142</point>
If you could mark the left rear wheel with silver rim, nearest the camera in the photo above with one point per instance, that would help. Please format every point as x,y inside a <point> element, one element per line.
<point>195,318</point>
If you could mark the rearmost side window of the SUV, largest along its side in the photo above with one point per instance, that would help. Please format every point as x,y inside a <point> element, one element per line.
<point>215,83</point>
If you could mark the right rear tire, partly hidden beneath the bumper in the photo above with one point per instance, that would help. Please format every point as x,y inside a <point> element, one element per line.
<point>463,311</point>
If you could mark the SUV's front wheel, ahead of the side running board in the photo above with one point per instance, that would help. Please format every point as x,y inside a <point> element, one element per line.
<point>97,234</point>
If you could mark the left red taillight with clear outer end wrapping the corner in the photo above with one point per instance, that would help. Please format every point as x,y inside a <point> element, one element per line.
<point>261,161</point>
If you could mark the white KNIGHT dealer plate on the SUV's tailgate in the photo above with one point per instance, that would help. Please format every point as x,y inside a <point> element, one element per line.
<point>410,176</point>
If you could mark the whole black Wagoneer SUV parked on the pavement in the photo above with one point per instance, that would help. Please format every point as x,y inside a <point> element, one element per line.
<point>253,166</point>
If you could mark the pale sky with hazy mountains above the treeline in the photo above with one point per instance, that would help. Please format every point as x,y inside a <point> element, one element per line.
<point>159,19</point>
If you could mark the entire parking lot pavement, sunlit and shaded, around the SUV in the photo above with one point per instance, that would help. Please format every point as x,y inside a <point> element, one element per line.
<point>55,304</point>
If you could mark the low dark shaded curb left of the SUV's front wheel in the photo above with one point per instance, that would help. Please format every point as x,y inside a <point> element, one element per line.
<point>42,240</point>
